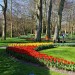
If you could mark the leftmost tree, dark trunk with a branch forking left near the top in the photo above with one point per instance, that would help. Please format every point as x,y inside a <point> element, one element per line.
<point>4,8</point>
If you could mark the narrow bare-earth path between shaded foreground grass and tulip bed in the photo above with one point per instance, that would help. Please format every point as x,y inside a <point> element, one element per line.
<point>49,68</point>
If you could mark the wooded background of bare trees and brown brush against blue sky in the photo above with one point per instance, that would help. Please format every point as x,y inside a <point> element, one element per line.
<point>20,17</point>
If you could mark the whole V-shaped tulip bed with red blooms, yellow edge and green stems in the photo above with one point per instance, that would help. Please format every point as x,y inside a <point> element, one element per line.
<point>28,52</point>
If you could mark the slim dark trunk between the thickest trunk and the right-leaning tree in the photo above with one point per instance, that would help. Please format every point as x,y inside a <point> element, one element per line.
<point>49,20</point>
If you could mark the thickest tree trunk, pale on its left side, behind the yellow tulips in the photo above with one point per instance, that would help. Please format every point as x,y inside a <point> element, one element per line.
<point>38,20</point>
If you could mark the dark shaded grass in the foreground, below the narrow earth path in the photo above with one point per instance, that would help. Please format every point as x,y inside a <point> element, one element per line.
<point>9,66</point>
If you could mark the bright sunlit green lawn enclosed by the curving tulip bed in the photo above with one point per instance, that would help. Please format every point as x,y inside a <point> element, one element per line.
<point>65,52</point>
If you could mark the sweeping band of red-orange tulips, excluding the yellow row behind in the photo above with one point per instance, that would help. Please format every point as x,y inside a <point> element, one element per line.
<point>48,60</point>
